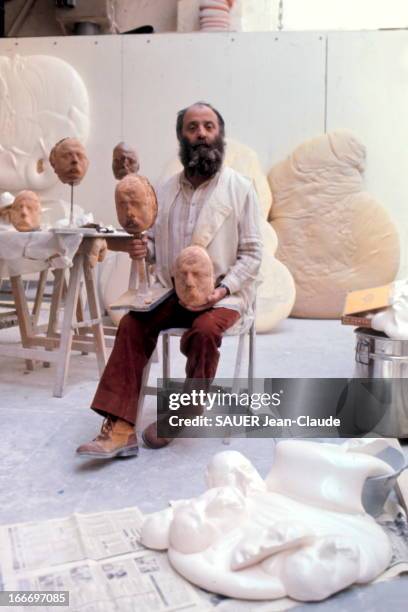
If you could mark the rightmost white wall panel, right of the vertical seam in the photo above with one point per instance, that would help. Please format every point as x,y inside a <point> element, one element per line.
<point>368,93</point>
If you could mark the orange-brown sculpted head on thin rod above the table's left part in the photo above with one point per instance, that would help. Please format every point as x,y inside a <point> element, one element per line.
<point>69,160</point>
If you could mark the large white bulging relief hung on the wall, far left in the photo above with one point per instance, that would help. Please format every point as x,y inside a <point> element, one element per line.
<point>42,99</point>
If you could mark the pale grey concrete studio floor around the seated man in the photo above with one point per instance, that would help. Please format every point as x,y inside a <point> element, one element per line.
<point>41,478</point>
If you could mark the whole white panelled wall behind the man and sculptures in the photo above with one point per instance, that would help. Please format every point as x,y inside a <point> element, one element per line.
<point>270,88</point>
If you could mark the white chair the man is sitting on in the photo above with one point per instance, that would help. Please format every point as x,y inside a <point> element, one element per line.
<point>246,329</point>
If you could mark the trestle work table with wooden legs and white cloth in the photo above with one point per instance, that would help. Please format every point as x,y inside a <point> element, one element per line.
<point>54,345</point>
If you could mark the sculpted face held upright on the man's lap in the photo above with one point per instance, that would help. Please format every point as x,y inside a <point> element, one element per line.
<point>194,276</point>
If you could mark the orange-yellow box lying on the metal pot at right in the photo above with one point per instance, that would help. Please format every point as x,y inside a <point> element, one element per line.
<point>360,304</point>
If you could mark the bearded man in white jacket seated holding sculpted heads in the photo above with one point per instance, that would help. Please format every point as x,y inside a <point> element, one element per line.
<point>208,205</point>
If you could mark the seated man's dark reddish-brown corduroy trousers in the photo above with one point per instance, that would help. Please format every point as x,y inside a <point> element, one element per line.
<point>119,388</point>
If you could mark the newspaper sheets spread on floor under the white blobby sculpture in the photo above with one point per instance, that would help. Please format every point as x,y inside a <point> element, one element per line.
<point>98,558</point>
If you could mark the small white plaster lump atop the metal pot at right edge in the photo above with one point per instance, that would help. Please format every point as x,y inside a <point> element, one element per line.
<point>393,321</point>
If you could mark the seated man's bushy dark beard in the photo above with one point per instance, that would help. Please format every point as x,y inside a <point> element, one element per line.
<point>202,159</point>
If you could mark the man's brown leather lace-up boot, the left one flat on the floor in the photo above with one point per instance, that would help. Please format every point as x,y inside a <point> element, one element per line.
<point>116,439</point>
